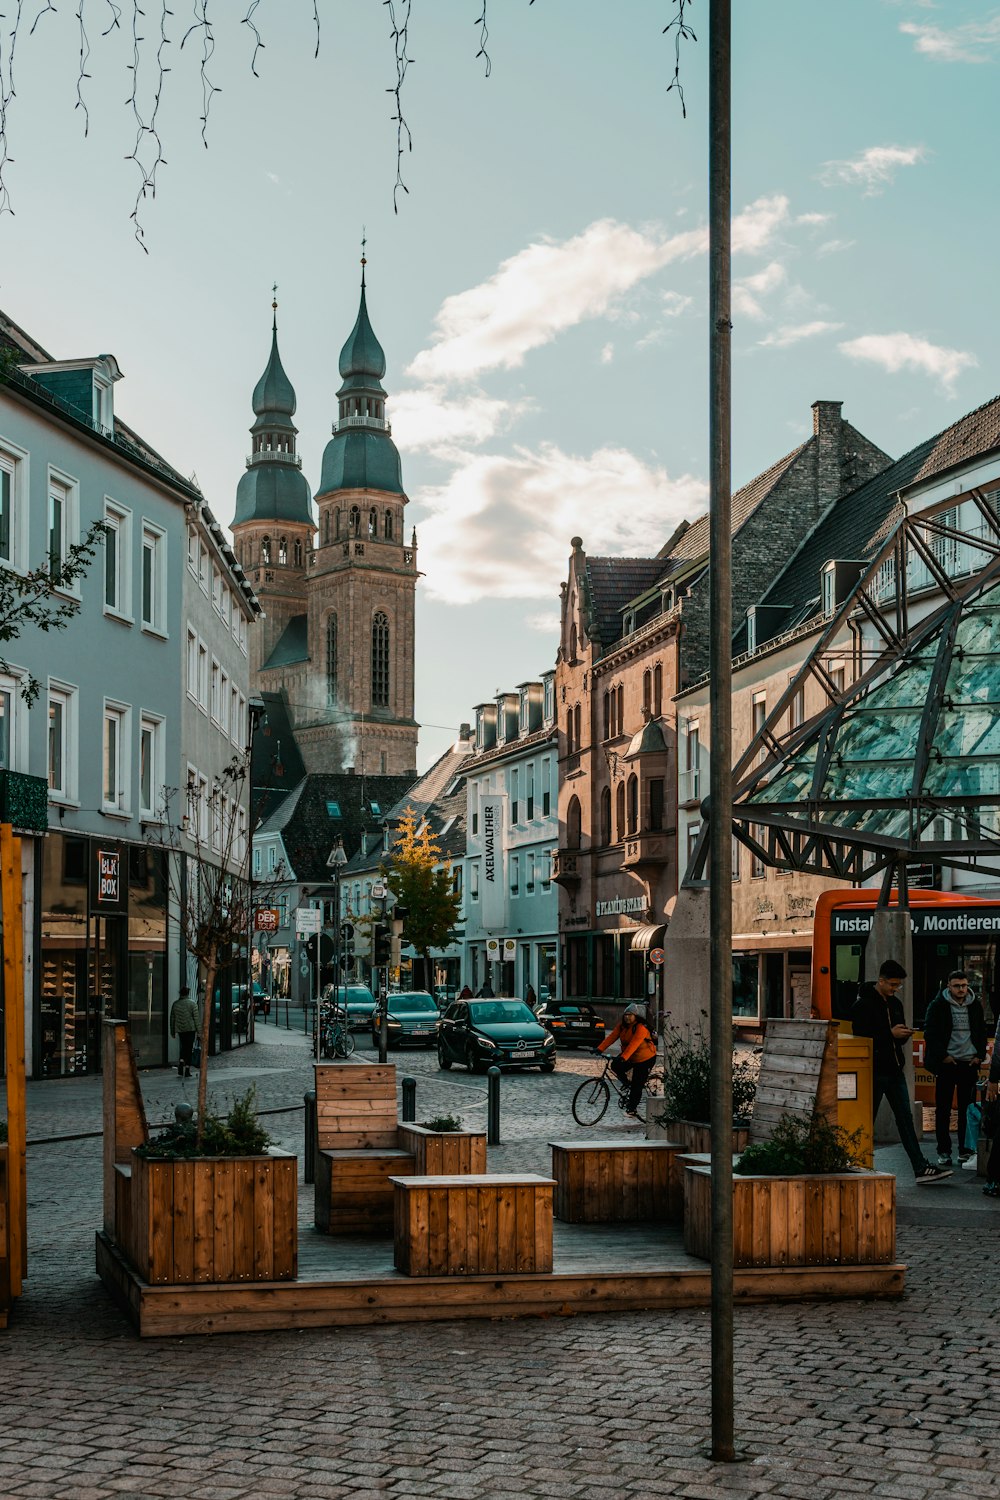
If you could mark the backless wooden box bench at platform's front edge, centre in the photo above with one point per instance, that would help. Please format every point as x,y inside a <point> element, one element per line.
<point>469,1226</point>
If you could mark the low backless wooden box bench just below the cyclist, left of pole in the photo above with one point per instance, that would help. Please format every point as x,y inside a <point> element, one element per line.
<point>608,1183</point>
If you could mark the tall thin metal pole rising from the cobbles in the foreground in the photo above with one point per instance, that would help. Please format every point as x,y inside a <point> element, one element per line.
<point>720,700</point>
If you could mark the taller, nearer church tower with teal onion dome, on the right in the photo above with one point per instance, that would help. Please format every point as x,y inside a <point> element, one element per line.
<point>361,589</point>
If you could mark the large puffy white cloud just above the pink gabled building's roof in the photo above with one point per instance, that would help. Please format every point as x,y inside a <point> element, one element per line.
<point>501,526</point>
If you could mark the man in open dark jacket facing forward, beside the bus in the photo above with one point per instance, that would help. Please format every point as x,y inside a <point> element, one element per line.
<point>954,1048</point>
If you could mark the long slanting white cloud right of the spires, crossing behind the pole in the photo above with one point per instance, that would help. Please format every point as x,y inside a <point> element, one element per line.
<point>549,287</point>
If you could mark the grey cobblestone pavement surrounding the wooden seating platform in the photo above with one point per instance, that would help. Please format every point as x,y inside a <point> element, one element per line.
<point>833,1399</point>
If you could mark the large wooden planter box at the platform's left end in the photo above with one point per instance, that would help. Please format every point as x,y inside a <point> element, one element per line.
<point>212,1219</point>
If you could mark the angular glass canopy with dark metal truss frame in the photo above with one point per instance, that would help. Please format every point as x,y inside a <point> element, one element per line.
<point>905,766</point>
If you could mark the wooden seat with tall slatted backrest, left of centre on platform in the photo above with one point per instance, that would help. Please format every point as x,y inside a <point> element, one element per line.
<point>358,1148</point>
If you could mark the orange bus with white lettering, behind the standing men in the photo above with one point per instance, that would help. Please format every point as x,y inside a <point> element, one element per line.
<point>951,931</point>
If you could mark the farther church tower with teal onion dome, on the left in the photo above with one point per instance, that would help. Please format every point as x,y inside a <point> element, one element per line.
<point>274,526</point>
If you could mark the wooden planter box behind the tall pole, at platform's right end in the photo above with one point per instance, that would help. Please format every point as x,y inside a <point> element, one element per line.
<point>845,1220</point>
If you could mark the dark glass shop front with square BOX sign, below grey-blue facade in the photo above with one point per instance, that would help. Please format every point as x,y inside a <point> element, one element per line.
<point>104,943</point>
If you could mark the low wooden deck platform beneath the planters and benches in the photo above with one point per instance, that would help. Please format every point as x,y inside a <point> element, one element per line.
<point>597,1268</point>
